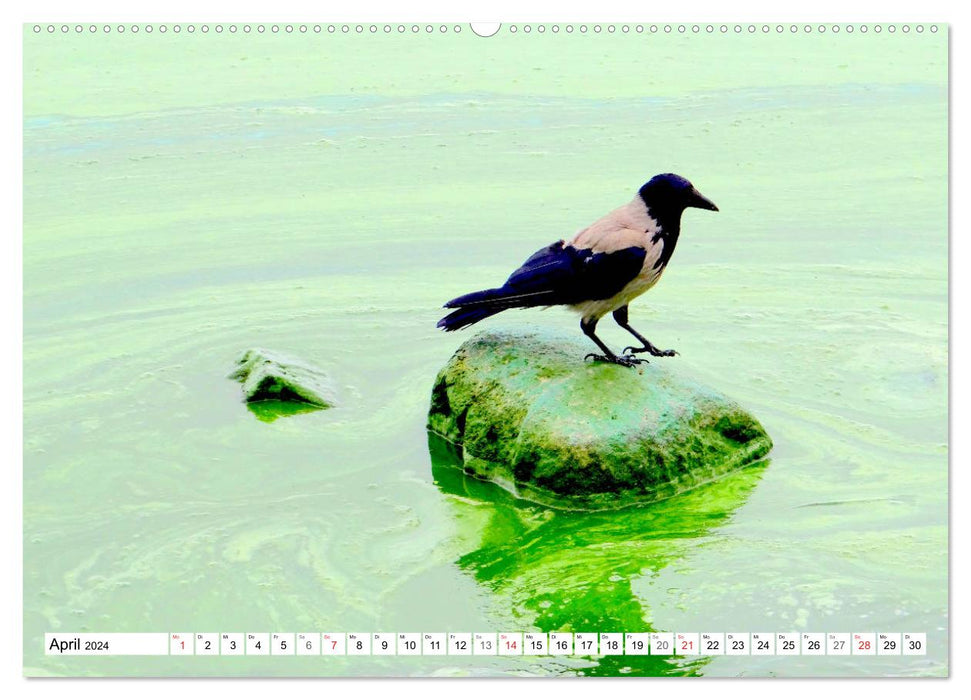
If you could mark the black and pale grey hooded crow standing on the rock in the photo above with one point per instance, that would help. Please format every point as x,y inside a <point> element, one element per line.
<point>600,270</point>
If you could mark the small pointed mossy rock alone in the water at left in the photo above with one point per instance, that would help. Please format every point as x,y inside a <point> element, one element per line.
<point>267,375</point>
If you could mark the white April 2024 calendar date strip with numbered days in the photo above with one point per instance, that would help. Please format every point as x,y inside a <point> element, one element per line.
<point>486,644</point>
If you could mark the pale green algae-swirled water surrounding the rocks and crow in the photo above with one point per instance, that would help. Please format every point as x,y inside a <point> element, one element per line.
<point>190,196</point>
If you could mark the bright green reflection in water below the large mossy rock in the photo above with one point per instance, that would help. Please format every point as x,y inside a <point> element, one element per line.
<point>572,571</point>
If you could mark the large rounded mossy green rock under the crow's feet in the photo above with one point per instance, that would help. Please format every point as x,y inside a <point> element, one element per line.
<point>532,416</point>
